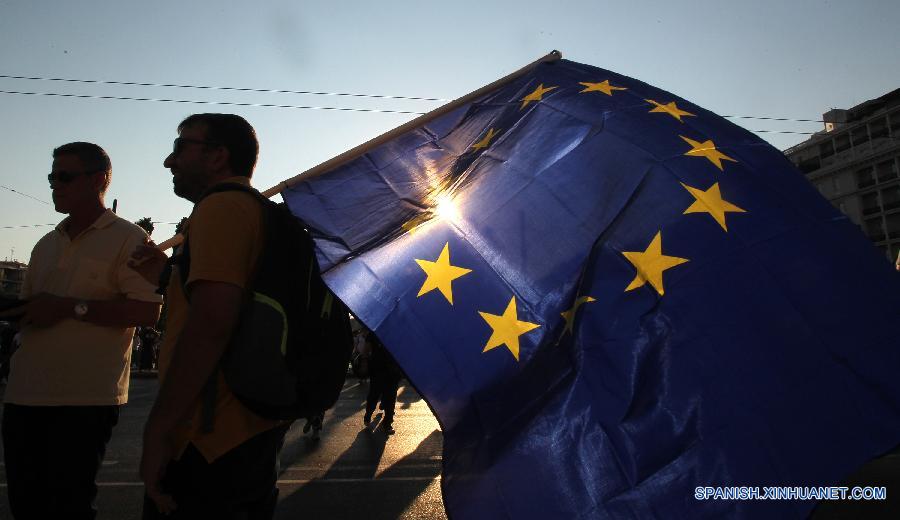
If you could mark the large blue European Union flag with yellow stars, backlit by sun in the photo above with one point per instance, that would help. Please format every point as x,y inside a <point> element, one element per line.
<point>610,296</point>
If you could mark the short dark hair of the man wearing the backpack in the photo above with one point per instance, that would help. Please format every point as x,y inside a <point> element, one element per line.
<point>235,134</point>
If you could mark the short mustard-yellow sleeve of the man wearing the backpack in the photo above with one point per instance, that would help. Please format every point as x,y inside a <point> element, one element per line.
<point>222,238</point>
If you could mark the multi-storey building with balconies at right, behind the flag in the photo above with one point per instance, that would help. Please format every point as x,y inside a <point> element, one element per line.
<point>855,162</point>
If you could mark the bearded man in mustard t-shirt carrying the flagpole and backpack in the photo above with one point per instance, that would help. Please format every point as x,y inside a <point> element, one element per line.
<point>229,468</point>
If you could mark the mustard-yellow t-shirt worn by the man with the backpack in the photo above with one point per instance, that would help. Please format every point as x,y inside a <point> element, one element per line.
<point>225,235</point>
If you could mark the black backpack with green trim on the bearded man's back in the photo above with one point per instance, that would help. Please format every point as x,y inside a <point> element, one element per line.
<point>288,356</point>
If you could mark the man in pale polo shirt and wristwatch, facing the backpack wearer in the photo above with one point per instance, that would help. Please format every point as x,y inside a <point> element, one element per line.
<point>70,374</point>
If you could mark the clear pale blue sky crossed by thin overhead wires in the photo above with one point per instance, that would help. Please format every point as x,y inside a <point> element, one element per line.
<point>790,59</point>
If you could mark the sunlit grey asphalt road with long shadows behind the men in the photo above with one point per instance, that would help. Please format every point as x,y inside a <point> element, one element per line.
<point>350,473</point>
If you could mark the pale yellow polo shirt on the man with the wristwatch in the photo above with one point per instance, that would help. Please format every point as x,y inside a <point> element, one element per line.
<point>76,363</point>
